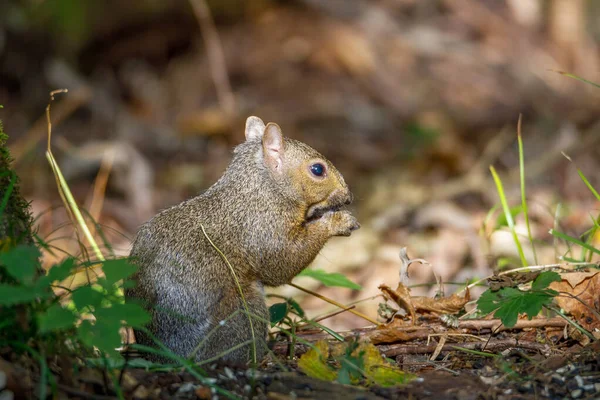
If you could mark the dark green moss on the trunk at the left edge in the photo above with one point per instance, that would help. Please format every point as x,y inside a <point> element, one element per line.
<point>15,217</point>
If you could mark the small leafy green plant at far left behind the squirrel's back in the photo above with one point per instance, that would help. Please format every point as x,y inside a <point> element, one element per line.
<point>93,313</point>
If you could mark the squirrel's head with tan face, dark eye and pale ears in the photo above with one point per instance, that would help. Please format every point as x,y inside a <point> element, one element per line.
<point>301,173</point>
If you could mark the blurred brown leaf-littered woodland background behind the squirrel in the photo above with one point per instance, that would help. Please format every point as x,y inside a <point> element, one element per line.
<point>411,99</point>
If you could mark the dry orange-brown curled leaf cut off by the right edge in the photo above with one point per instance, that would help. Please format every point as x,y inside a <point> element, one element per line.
<point>580,297</point>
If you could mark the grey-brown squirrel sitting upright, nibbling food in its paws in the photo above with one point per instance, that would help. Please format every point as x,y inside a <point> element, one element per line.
<point>269,215</point>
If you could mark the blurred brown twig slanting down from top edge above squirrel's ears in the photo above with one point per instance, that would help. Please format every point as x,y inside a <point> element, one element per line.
<point>216,58</point>
